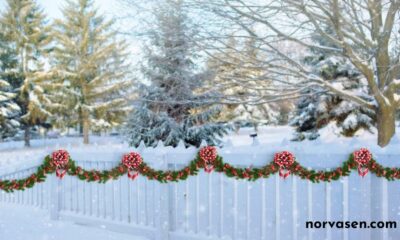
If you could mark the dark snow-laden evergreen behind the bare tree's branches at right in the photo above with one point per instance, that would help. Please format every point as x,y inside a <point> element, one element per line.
<point>319,107</point>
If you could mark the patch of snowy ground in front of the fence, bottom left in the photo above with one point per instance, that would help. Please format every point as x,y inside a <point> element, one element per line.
<point>26,223</point>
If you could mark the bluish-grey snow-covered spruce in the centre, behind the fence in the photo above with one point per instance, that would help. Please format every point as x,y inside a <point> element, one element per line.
<point>172,107</point>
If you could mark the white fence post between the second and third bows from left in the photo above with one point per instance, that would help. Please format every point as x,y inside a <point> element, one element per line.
<point>163,211</point>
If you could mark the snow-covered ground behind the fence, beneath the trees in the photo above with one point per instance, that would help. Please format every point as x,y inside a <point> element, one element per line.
<point>272,136</point>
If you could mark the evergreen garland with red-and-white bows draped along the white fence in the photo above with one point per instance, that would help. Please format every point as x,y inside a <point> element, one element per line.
<point>284,163</point>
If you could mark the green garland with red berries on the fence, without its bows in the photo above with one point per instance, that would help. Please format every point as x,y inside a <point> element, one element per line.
<point>200,162</point>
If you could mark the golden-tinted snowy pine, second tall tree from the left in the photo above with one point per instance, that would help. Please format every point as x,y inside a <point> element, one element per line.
<point>91,64</point>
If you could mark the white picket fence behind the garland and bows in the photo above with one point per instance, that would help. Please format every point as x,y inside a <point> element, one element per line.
<point>211,206</point>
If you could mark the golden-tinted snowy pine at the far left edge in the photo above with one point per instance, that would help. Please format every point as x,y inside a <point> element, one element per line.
<point>26,32</point>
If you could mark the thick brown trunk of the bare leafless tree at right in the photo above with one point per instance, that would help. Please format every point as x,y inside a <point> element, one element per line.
<point>386,123</point>
